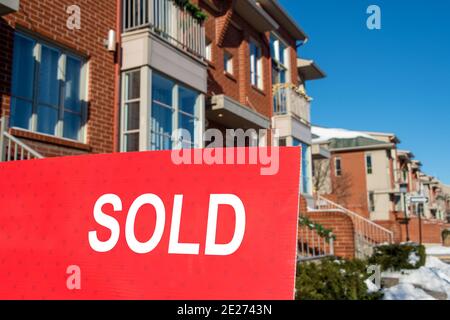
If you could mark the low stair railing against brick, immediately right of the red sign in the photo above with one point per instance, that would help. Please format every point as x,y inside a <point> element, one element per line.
<point>312,246</point>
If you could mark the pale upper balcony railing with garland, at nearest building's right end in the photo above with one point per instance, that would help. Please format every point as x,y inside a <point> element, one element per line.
<point>288,100</point>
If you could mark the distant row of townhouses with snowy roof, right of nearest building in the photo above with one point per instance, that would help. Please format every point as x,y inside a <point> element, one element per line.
<point>368,174</point>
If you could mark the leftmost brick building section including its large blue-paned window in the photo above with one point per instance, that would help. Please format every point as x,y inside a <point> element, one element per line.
<point>57,83</point>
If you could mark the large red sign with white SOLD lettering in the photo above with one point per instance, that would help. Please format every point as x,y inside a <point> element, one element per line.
<point>138,226</point>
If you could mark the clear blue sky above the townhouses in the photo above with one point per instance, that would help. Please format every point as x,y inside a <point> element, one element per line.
<point>395,80</point>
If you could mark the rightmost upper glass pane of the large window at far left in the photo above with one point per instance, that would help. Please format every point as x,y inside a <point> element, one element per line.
<point>72,99</point>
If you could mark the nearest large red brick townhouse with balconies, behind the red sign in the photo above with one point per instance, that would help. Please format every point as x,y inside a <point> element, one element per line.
<point>136,70</point>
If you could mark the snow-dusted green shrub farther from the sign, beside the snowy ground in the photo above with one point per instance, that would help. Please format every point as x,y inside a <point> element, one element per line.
<point>399,256</point>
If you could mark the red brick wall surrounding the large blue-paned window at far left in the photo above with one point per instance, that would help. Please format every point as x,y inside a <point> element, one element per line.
<point>47,19</point>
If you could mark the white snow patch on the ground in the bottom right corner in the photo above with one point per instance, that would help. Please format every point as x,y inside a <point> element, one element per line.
<point>434,276</point>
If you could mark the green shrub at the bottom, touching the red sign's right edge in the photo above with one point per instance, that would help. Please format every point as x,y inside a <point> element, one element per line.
<point>332,279</point>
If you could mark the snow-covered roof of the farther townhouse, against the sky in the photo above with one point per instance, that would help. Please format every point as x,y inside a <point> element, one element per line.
<point>342,139</point>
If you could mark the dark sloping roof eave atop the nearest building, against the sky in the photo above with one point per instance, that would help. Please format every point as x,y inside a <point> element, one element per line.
<point>283,18</point>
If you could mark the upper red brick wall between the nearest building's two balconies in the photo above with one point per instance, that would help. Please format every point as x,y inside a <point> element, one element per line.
<point>230,33</point>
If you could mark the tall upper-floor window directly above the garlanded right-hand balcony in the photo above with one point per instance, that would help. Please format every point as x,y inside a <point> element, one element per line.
<point>280,60</point>
